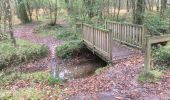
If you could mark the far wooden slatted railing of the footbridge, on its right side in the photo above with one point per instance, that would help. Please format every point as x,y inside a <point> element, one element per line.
<point>130,34</point>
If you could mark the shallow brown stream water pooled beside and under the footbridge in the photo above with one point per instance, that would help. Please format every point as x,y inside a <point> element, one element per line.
<point>70,70</point>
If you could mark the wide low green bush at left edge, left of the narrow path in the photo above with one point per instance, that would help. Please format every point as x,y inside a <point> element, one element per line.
<point>23,53</point>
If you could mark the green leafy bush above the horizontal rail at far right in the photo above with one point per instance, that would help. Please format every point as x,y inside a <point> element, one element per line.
<point>155,24</point>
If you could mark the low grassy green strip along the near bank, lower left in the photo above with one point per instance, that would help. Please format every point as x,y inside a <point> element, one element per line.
<point>36,77</point>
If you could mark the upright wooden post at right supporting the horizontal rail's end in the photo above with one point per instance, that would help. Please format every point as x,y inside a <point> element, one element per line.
<point>147,55</point>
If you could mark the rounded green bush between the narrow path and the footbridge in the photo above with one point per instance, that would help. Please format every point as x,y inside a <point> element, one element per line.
<point>69,49</point>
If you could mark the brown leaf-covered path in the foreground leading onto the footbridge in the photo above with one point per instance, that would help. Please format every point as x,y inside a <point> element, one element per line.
<point>119,83</point>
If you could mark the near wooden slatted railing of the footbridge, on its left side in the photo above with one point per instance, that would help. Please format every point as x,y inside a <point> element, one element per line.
<point>98,40</point>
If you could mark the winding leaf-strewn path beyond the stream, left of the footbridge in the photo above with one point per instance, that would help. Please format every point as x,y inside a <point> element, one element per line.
<point>26,32</point>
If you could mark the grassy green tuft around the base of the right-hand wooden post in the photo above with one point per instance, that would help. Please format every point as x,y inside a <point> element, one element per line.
<point>150,77</point>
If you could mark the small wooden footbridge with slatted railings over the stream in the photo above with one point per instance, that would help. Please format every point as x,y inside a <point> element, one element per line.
<point>117,41</point>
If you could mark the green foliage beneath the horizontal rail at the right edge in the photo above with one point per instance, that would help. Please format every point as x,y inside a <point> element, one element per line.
<point>162,55</point>
